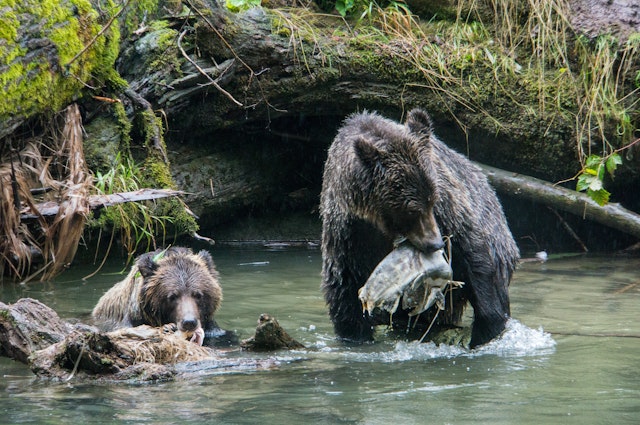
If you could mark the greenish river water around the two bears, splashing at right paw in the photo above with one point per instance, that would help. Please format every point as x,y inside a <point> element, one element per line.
<point>570,355</point>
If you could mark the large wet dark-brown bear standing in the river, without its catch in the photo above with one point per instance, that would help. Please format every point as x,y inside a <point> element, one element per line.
<point>384,182</point>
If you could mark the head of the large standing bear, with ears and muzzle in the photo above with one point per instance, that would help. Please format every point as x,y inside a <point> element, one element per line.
<point>401,185</point>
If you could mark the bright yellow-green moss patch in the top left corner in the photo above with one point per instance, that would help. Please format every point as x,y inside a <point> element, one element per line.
<point>42,80</point>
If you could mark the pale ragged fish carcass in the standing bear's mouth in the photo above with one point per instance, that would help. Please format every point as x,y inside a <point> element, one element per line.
<point>406,273</point>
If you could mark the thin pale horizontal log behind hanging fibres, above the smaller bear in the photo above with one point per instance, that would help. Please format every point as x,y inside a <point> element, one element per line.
<point>51,208</point>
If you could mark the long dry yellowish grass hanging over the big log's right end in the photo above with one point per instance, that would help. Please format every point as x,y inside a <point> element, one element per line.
<point>579,79</point>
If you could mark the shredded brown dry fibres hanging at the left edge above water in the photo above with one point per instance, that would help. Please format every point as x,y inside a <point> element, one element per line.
<point>54,162</point>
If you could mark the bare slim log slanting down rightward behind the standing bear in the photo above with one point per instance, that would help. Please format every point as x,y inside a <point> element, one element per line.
<point>518,185</point>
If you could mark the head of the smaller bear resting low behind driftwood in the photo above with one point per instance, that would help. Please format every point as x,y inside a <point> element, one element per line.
<point>179,287</point>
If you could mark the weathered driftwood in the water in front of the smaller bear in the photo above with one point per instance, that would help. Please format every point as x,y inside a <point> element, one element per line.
<point>32,333</point>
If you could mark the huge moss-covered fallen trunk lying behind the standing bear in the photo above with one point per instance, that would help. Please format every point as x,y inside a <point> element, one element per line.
<point>229,70</point>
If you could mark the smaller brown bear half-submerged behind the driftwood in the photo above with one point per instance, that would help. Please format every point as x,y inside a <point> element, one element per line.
<point>171,286</point>
